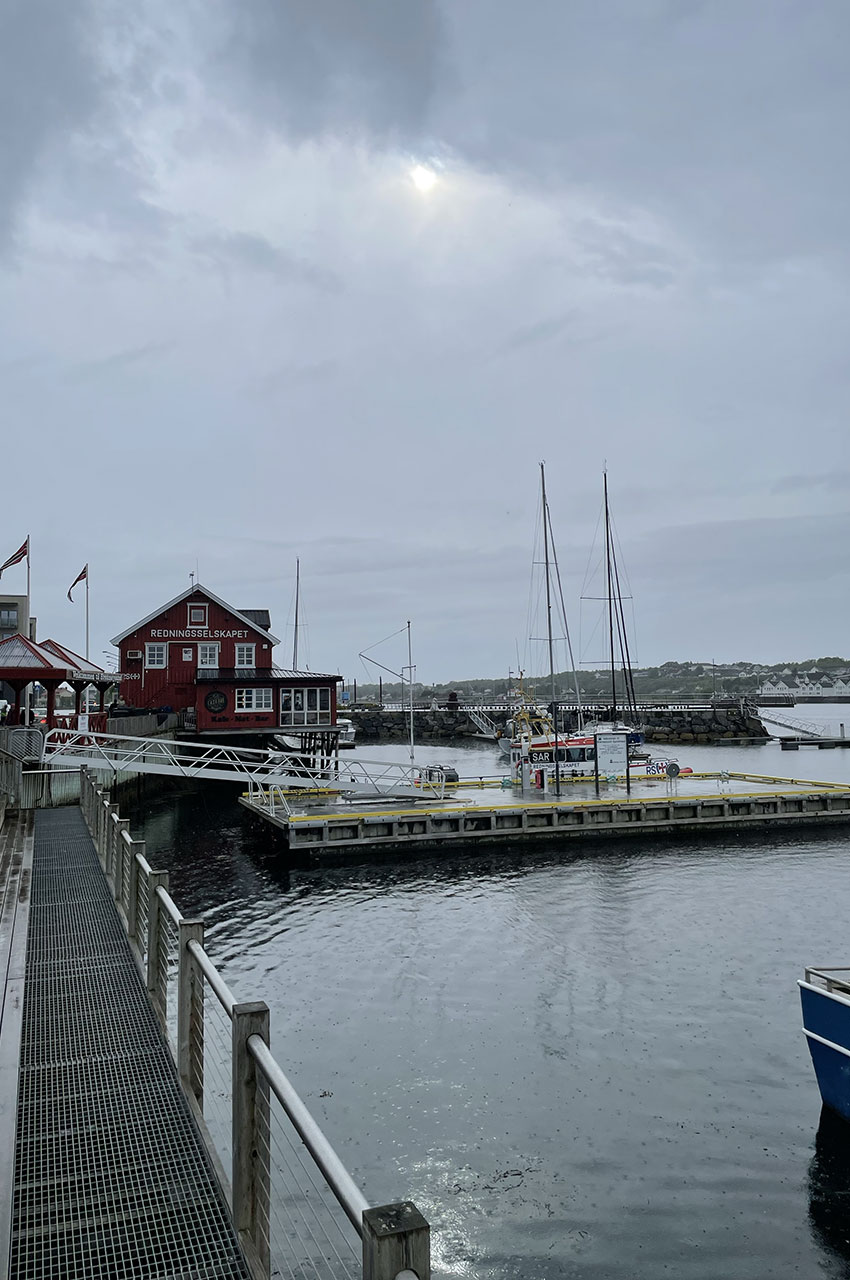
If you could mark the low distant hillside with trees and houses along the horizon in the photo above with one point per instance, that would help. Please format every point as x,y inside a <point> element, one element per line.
<point>666,683</point>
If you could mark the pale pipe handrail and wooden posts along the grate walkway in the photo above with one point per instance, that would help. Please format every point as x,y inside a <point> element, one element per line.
<point>396,1238</point>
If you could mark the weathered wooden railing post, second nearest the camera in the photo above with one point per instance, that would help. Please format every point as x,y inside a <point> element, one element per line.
<point>252,1139</point>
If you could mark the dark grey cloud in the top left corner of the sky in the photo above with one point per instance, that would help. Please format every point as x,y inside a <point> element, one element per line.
<point>48,89</point>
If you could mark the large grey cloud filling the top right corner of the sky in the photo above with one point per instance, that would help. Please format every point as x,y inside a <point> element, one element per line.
<point>732,115</point>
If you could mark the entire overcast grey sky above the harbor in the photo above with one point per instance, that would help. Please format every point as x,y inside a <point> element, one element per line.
<point>235,331</point>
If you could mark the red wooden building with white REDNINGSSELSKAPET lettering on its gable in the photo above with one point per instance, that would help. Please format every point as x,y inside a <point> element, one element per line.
<point>200,655</point>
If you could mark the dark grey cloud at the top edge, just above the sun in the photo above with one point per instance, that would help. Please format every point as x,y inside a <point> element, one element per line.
<point>333,66</point>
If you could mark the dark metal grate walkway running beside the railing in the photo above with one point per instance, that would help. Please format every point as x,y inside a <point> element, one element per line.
<point>112,1177</point>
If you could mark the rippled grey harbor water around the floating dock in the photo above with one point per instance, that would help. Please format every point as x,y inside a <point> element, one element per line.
<point>581,1063</point>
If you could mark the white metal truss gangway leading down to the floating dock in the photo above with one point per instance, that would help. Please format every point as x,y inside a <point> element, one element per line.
<point>257,770</point>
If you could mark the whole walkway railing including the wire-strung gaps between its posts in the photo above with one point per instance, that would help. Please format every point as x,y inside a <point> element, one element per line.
<point>282,1180</point>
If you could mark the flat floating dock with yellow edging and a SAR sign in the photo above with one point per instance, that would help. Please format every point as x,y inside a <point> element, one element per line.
<point>362,830</point>
